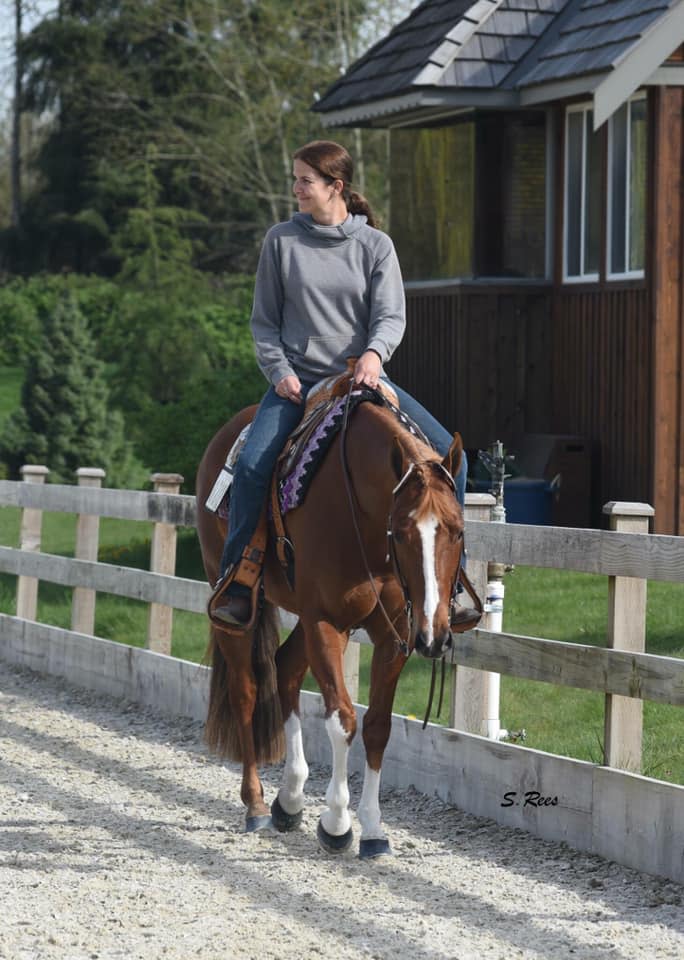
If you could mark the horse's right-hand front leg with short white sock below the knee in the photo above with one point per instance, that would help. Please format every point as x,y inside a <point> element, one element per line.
<point>386,666</point>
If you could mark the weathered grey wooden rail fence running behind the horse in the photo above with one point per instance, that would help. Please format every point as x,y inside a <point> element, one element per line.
<point>609,809</point>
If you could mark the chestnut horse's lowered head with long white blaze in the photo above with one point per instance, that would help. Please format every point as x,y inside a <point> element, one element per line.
<point>426,537</point>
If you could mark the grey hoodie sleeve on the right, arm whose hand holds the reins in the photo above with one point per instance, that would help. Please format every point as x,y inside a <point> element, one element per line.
<point>387,307</point>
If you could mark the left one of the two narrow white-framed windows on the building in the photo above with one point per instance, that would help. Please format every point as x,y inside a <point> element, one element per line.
<point>582,196</point>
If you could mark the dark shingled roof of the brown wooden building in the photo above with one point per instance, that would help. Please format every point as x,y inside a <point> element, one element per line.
<point>456,54</point>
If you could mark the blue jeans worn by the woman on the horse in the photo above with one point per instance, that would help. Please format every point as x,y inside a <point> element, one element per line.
<point>275,420</point>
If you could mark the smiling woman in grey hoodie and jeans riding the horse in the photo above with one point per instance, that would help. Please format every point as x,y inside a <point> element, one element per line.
<point>328,286</point>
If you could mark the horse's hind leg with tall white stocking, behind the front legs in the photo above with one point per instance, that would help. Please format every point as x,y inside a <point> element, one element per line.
<point>292,664</point>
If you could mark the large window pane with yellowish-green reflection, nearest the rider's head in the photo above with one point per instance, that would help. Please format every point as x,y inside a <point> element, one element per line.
<point>431,200</point>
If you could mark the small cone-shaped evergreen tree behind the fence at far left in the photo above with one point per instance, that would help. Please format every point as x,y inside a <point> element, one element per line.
<point>65,421</point>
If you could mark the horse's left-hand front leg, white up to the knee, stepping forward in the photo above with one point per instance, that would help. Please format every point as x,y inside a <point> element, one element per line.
<point>325,650</point>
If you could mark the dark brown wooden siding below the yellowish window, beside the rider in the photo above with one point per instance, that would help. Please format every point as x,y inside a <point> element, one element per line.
<point>476,358</point>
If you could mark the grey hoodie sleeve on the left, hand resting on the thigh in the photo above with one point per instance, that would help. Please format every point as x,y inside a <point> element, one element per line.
<point>267,314</point>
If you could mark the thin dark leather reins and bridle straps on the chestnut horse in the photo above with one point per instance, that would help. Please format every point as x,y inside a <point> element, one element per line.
<point>403,645</point>
